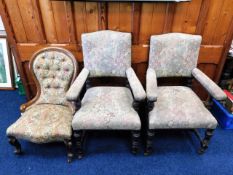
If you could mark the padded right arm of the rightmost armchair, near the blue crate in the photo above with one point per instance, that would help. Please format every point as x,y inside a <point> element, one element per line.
<point>211,87</point>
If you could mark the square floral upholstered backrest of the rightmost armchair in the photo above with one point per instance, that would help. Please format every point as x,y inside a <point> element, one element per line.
<point>174,54</point>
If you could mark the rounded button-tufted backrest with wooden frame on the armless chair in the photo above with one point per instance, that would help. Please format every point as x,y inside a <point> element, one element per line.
<point>54,69</point>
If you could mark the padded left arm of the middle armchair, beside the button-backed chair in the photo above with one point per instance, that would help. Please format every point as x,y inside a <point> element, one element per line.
<point>76,88</point>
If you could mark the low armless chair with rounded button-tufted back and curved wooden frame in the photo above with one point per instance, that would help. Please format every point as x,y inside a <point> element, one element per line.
<point>48,116</point>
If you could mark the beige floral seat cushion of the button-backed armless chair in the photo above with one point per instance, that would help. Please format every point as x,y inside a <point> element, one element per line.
<point>43,123</point>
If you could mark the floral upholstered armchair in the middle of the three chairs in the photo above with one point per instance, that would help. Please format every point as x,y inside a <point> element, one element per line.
<point>107,54</point>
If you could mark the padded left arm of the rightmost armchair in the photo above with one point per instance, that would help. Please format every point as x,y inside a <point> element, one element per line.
<point>151,85</point>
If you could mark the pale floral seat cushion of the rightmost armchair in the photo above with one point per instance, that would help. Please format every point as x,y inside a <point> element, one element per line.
<point>179,107</point>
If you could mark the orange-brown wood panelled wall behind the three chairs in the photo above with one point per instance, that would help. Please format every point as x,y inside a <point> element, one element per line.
<point>34,24</point>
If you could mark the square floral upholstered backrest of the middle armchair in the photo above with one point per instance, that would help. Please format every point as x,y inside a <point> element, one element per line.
<point>107,53</point>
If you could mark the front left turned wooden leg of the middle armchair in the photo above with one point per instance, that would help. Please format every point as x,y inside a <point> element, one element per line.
<point>78,135</point>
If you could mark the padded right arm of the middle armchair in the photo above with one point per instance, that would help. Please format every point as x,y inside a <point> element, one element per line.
<point>135,85</point>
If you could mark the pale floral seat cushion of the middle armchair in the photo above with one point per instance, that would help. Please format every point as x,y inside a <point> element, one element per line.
<point>107,108</point>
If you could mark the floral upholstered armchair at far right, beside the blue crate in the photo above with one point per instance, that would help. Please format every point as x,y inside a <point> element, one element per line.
<point>178,107</point>
